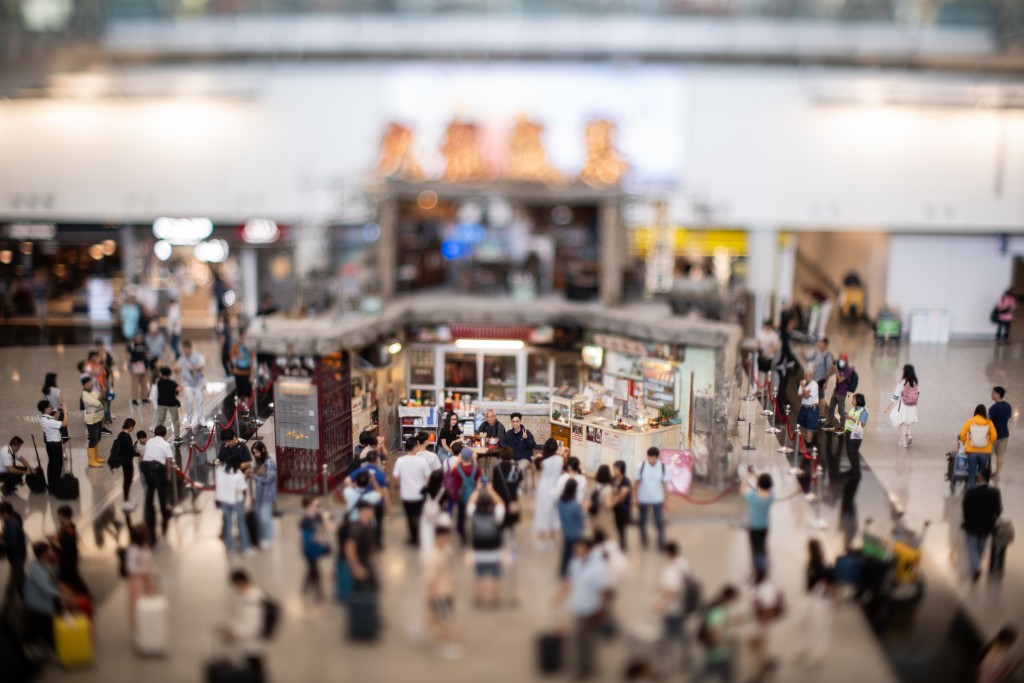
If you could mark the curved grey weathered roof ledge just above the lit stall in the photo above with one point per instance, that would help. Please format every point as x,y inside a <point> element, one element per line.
<point>328,334</point>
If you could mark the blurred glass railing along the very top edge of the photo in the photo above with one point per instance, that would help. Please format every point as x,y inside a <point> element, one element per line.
<point>920,13</point>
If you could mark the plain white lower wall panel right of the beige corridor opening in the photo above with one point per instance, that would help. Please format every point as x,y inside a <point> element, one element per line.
<point>964,275</point>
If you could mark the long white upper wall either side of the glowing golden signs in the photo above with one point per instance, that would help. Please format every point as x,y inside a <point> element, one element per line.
<point>757,145</point>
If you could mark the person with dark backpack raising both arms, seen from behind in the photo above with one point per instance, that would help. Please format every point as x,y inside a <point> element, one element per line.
<point>487,513</point>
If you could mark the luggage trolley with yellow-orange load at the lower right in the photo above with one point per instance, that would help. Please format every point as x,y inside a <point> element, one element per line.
<point>893,571</point>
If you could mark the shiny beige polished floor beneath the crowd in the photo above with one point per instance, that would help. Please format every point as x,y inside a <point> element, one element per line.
<point>500,646</point>
